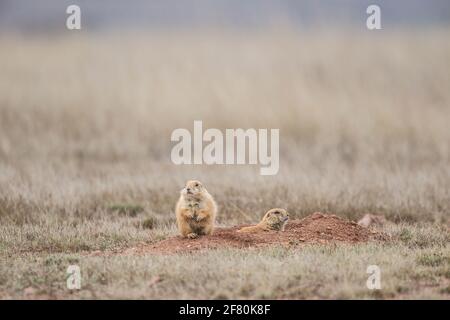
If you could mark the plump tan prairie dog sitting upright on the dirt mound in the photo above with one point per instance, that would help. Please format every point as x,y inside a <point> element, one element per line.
<point>195,210</point>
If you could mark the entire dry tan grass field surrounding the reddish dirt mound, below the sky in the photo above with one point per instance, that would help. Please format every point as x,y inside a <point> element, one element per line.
<point>85,127</point>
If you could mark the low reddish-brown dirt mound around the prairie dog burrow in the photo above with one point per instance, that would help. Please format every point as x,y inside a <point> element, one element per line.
<point>316,228</point>
